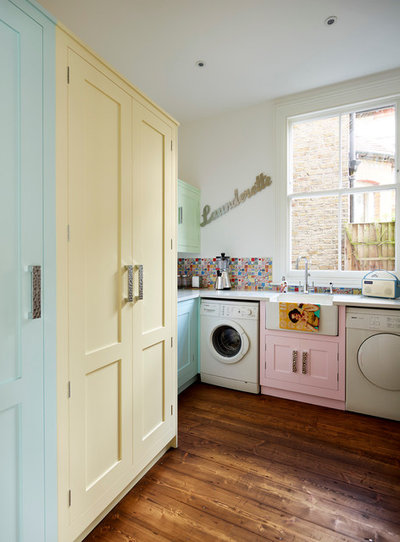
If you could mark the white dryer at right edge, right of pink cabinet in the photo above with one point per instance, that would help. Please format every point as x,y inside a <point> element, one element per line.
<point>373,362</point>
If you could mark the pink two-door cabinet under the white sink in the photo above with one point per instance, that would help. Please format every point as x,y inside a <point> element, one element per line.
<point>303,366</point>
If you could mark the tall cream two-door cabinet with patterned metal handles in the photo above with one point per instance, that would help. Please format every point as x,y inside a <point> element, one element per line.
<point>116,299</point>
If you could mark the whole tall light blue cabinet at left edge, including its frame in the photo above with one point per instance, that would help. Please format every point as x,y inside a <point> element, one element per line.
<point>27,342</point>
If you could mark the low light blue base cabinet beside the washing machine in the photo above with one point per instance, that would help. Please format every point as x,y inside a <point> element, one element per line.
<point>188,332</point>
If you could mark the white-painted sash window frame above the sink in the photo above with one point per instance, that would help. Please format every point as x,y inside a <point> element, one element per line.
<point>357,95</point>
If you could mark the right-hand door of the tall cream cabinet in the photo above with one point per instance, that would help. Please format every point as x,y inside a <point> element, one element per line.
<point>154,371</point>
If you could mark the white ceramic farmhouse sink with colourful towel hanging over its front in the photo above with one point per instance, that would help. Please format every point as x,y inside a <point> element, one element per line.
<point>328,324</point>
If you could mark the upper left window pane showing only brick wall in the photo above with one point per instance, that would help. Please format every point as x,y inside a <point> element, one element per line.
<point>315,155</point>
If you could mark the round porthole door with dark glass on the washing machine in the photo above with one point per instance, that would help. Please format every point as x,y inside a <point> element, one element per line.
<point>228,342</point>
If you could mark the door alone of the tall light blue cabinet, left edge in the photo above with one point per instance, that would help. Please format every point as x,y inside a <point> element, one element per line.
<point>21,239</point>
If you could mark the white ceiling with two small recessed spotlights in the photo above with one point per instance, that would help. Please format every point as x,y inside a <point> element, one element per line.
<point>254,50</point>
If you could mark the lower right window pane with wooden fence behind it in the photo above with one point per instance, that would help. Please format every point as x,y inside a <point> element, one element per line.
<point>368,238</point>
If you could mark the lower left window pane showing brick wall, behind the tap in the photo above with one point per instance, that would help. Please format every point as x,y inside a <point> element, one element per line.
<point>314,231</point>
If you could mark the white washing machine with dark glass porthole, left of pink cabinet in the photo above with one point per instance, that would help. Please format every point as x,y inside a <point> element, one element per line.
<point>229,350</point>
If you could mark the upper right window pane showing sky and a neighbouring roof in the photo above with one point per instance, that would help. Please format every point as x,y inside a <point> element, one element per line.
<point>368,147</point>
